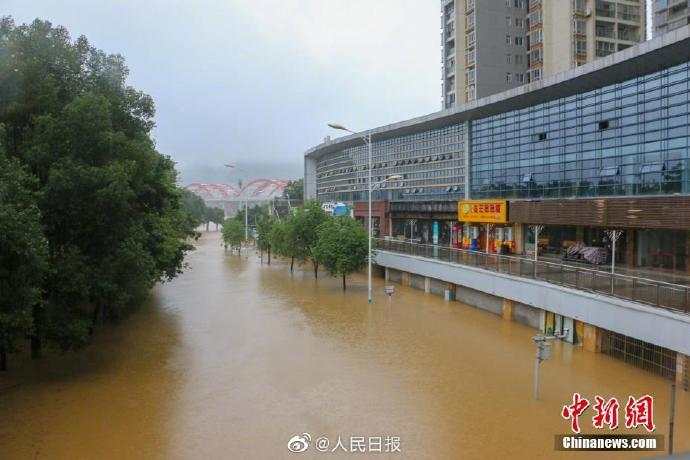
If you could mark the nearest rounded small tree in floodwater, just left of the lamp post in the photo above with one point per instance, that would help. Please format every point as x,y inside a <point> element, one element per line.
<point>341,246</point>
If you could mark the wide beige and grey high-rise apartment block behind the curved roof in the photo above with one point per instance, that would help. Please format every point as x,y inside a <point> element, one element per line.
<point>493,45</point>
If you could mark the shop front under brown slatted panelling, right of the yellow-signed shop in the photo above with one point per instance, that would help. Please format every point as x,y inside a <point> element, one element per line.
<point>654,232</point>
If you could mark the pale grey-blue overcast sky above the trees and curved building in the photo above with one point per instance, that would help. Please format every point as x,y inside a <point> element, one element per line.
<point>257,80</point>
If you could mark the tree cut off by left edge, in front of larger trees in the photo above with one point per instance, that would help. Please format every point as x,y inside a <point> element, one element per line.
<point>23,254</point>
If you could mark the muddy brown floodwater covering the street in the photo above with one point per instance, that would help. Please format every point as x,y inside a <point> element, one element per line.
<point>234,358</point>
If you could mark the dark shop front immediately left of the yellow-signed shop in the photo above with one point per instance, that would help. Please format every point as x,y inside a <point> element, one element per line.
<point>425,222</point>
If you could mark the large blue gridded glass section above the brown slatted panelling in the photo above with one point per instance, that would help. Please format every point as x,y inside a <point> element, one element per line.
<point>629,138</point>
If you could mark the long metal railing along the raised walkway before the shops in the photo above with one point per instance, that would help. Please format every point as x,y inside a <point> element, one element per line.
<point>657,293</point>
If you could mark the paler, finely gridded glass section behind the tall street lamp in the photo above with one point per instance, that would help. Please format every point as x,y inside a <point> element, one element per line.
<point>431,165</point>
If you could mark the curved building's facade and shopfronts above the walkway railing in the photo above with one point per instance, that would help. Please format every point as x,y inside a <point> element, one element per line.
<point>602,146</point>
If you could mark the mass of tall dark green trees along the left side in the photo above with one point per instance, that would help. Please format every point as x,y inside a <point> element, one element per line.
<point>90,213</point>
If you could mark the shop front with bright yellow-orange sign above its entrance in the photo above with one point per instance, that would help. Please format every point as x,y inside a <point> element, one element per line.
<point>484,226</point>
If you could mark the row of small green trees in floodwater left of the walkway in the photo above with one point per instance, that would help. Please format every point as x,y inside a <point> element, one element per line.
<point>309,234</point>
